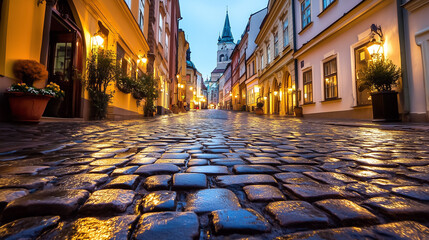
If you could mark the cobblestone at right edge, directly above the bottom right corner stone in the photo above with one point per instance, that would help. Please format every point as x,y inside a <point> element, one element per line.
<point>399,207</point>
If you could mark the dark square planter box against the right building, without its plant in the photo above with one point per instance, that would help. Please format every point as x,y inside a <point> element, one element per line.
<point>385,106</point>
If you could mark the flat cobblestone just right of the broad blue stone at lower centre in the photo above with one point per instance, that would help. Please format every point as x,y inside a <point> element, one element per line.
<point>263,193</point>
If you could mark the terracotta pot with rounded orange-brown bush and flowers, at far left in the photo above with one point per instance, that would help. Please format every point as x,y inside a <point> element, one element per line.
<point>27,102</point>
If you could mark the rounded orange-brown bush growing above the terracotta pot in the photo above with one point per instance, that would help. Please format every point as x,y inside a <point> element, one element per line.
<point>29,71</point>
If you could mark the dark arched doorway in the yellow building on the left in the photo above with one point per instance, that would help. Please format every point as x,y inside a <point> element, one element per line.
<point>65,59</point>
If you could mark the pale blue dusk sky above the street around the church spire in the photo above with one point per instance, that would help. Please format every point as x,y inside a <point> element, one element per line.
<point>203,22</point>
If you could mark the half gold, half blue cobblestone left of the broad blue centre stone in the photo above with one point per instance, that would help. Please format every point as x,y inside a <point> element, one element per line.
<point>159,201</point>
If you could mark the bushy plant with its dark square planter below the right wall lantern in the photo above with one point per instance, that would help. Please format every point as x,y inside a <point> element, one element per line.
<point>379,77</point>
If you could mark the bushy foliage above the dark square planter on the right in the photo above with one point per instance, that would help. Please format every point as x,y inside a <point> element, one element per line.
<point>380,75</point>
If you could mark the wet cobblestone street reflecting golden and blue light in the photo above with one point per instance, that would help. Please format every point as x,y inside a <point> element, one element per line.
<point>213,175</point>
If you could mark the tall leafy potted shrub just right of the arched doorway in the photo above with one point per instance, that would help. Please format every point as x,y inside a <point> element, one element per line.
<point>101,72</point>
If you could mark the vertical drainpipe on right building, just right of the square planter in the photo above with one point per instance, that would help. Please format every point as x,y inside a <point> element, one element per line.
<point>405,89</point>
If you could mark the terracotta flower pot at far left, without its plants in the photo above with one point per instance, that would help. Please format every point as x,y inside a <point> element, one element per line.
<point>27,107</point>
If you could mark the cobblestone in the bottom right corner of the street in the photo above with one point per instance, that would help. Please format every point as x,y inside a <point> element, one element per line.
<point>402,230</point>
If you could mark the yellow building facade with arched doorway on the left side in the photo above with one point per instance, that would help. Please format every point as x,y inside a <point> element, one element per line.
<point>62,34</point>
